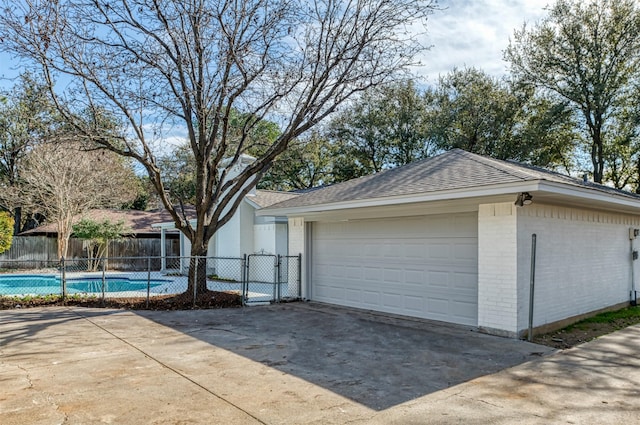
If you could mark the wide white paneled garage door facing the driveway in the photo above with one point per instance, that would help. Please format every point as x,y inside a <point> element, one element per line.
<point>417,266</point>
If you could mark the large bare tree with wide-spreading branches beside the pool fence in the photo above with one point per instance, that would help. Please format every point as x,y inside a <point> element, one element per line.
<point>189,64</point>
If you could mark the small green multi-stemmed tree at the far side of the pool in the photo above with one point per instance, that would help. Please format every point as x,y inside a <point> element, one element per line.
<point>97,236</point>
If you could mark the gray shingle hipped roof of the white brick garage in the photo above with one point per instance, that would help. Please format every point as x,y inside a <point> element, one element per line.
<point>455,169</point>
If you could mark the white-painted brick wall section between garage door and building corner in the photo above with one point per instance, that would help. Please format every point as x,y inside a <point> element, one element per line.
<point>498,268</point>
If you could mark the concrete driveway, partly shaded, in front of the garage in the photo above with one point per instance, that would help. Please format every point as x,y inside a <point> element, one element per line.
<point>299,364</point>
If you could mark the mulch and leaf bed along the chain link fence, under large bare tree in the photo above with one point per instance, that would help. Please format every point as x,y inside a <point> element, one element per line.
<point>205,300</point>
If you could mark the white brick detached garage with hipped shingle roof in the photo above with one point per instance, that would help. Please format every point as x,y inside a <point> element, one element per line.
<point>450,238</point>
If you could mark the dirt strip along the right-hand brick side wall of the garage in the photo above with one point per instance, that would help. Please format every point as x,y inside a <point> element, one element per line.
<point>580,333</point>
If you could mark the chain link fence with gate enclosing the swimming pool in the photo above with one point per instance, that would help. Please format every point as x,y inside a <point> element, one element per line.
<point>255,278</point>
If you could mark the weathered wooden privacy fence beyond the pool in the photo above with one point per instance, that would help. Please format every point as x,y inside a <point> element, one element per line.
<point>45,249</point>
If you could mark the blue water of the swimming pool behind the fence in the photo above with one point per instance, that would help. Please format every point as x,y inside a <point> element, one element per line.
<point>43,284</point>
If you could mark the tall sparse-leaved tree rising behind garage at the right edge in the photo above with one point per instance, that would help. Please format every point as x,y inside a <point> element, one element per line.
<point>589,54</point>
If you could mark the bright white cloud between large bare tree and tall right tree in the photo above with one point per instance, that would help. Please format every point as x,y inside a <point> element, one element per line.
<point>474,34</point>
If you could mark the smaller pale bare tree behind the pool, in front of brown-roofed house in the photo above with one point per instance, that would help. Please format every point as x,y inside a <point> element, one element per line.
<point>63,181</point>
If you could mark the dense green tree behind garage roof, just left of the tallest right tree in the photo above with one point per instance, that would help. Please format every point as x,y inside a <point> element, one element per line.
<point>471,110</point>
